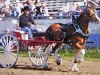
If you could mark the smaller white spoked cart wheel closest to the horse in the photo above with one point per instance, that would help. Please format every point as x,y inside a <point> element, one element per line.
<point>37,56</point>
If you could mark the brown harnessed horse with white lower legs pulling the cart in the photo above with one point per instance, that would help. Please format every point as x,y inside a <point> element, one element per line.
<point>74,35</point>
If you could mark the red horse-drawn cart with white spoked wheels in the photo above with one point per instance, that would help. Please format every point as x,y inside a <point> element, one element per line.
<point>9,48</point>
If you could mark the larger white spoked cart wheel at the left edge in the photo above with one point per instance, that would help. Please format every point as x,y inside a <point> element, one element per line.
<point>9,49</point>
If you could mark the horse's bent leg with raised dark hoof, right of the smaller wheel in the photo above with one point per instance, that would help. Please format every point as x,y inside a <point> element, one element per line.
<point>57,56</point>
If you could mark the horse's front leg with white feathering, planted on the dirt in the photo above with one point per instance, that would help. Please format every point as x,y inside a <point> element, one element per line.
<point>79,57</point>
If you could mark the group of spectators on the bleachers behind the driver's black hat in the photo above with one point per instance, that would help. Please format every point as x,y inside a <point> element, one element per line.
<point>37,8</point>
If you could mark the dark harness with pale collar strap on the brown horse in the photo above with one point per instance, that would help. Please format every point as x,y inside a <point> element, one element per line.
<point>64,35</point>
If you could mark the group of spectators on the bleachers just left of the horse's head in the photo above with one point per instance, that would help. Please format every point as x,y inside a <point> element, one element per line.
<point>74,8</point>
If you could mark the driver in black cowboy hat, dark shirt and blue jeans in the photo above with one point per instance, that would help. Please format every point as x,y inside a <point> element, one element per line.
<point>25,22</point>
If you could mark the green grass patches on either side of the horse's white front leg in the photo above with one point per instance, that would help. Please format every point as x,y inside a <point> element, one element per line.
<point>90,54</point>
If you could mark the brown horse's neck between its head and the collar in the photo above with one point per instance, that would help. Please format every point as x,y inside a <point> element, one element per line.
<point>84,23</point>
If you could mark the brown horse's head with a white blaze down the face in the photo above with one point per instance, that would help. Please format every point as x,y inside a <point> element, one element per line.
<point>91,15</point>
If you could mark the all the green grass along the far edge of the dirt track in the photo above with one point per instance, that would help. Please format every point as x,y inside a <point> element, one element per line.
<point>67,53</point>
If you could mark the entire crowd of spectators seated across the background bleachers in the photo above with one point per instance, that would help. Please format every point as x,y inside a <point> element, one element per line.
<point>37,9</point>
